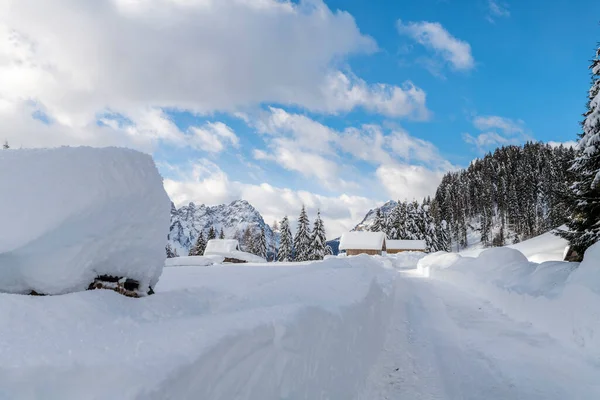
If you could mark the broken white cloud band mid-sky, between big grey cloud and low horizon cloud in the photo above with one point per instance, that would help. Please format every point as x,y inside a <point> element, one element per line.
<point>300,144</point>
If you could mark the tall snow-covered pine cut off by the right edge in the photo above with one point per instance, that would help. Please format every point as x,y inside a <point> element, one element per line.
<point>584,218</point>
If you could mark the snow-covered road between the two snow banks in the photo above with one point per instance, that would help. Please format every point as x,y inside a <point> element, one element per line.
<point>444,343</point>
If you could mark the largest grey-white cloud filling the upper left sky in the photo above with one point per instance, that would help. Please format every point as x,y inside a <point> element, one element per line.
<point>77,60</point>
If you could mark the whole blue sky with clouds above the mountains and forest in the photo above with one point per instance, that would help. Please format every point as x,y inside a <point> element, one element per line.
<point>339,105</point>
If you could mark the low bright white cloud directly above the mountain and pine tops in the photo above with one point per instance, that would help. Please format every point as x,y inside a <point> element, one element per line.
<point>206,183</point>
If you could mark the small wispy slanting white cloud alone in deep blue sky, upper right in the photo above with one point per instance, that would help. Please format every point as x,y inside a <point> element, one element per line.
<point>435,37</point>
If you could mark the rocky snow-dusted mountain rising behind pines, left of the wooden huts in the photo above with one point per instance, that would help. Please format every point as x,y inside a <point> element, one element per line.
<point>233,218</point>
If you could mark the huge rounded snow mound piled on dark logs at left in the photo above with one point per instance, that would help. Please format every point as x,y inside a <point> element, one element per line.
<point>71,214</point>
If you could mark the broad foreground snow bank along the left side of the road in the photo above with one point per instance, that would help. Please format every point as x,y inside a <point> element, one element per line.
<point>269,331</point>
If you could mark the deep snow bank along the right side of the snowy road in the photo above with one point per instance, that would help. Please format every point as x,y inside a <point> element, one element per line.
<point>560,298</point>
